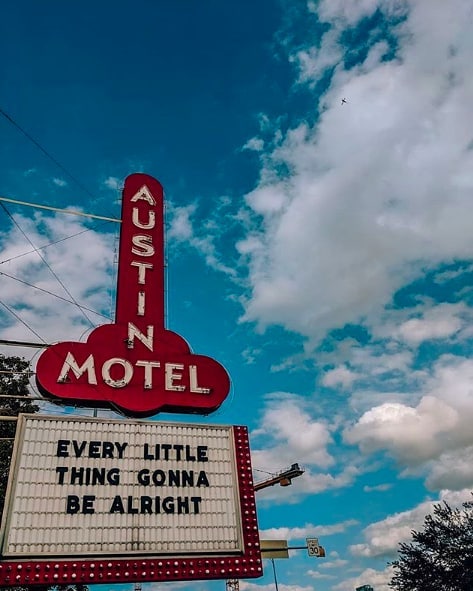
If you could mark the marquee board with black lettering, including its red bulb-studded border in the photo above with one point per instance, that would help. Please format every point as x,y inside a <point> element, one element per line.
<point>128,501</point>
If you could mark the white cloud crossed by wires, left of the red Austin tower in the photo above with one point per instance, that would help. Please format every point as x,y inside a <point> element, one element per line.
<point>82,260</point>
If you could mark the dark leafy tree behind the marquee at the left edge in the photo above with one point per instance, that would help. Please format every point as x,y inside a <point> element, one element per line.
<point>14,380</point>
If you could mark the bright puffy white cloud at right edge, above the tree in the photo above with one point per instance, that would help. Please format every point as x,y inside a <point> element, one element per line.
<point>436,432</point>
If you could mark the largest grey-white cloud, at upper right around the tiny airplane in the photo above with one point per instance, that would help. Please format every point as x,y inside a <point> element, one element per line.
<point>379,188</point>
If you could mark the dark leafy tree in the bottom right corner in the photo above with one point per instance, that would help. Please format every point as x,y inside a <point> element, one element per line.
<point>440,557</point>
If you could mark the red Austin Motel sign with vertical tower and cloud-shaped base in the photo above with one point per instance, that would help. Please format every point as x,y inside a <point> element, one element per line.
<point>135,365</point>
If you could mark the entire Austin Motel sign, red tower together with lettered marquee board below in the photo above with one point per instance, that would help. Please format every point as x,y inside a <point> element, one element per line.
<point>110,500</point>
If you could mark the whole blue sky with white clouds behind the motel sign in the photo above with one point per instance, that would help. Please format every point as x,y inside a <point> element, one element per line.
<point>320,251</point>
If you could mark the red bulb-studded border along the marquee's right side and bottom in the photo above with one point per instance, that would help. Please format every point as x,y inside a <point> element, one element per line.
<point>161,568</point>
